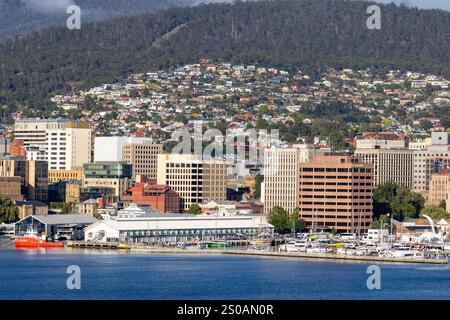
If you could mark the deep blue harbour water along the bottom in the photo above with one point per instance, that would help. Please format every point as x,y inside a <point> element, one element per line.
<point>41,274</point>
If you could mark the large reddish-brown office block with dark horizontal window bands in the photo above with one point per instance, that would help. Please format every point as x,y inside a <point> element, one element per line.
<point>336,192</point>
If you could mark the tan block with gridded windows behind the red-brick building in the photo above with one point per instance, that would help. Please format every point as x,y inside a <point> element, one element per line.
<point>143,157</point>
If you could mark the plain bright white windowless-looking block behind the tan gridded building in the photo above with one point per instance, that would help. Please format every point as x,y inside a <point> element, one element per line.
<point>111,148</point>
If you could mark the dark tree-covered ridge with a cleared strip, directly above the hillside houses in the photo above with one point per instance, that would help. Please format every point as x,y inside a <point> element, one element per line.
<point>303,33</point>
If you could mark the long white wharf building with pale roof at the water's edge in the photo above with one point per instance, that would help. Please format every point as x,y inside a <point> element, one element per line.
<point>135,225</point>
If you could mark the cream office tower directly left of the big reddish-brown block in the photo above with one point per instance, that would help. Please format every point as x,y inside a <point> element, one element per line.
<point>281,174</point>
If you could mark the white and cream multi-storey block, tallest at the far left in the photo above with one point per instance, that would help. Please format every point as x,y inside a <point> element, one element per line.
<point>64,144</point>
